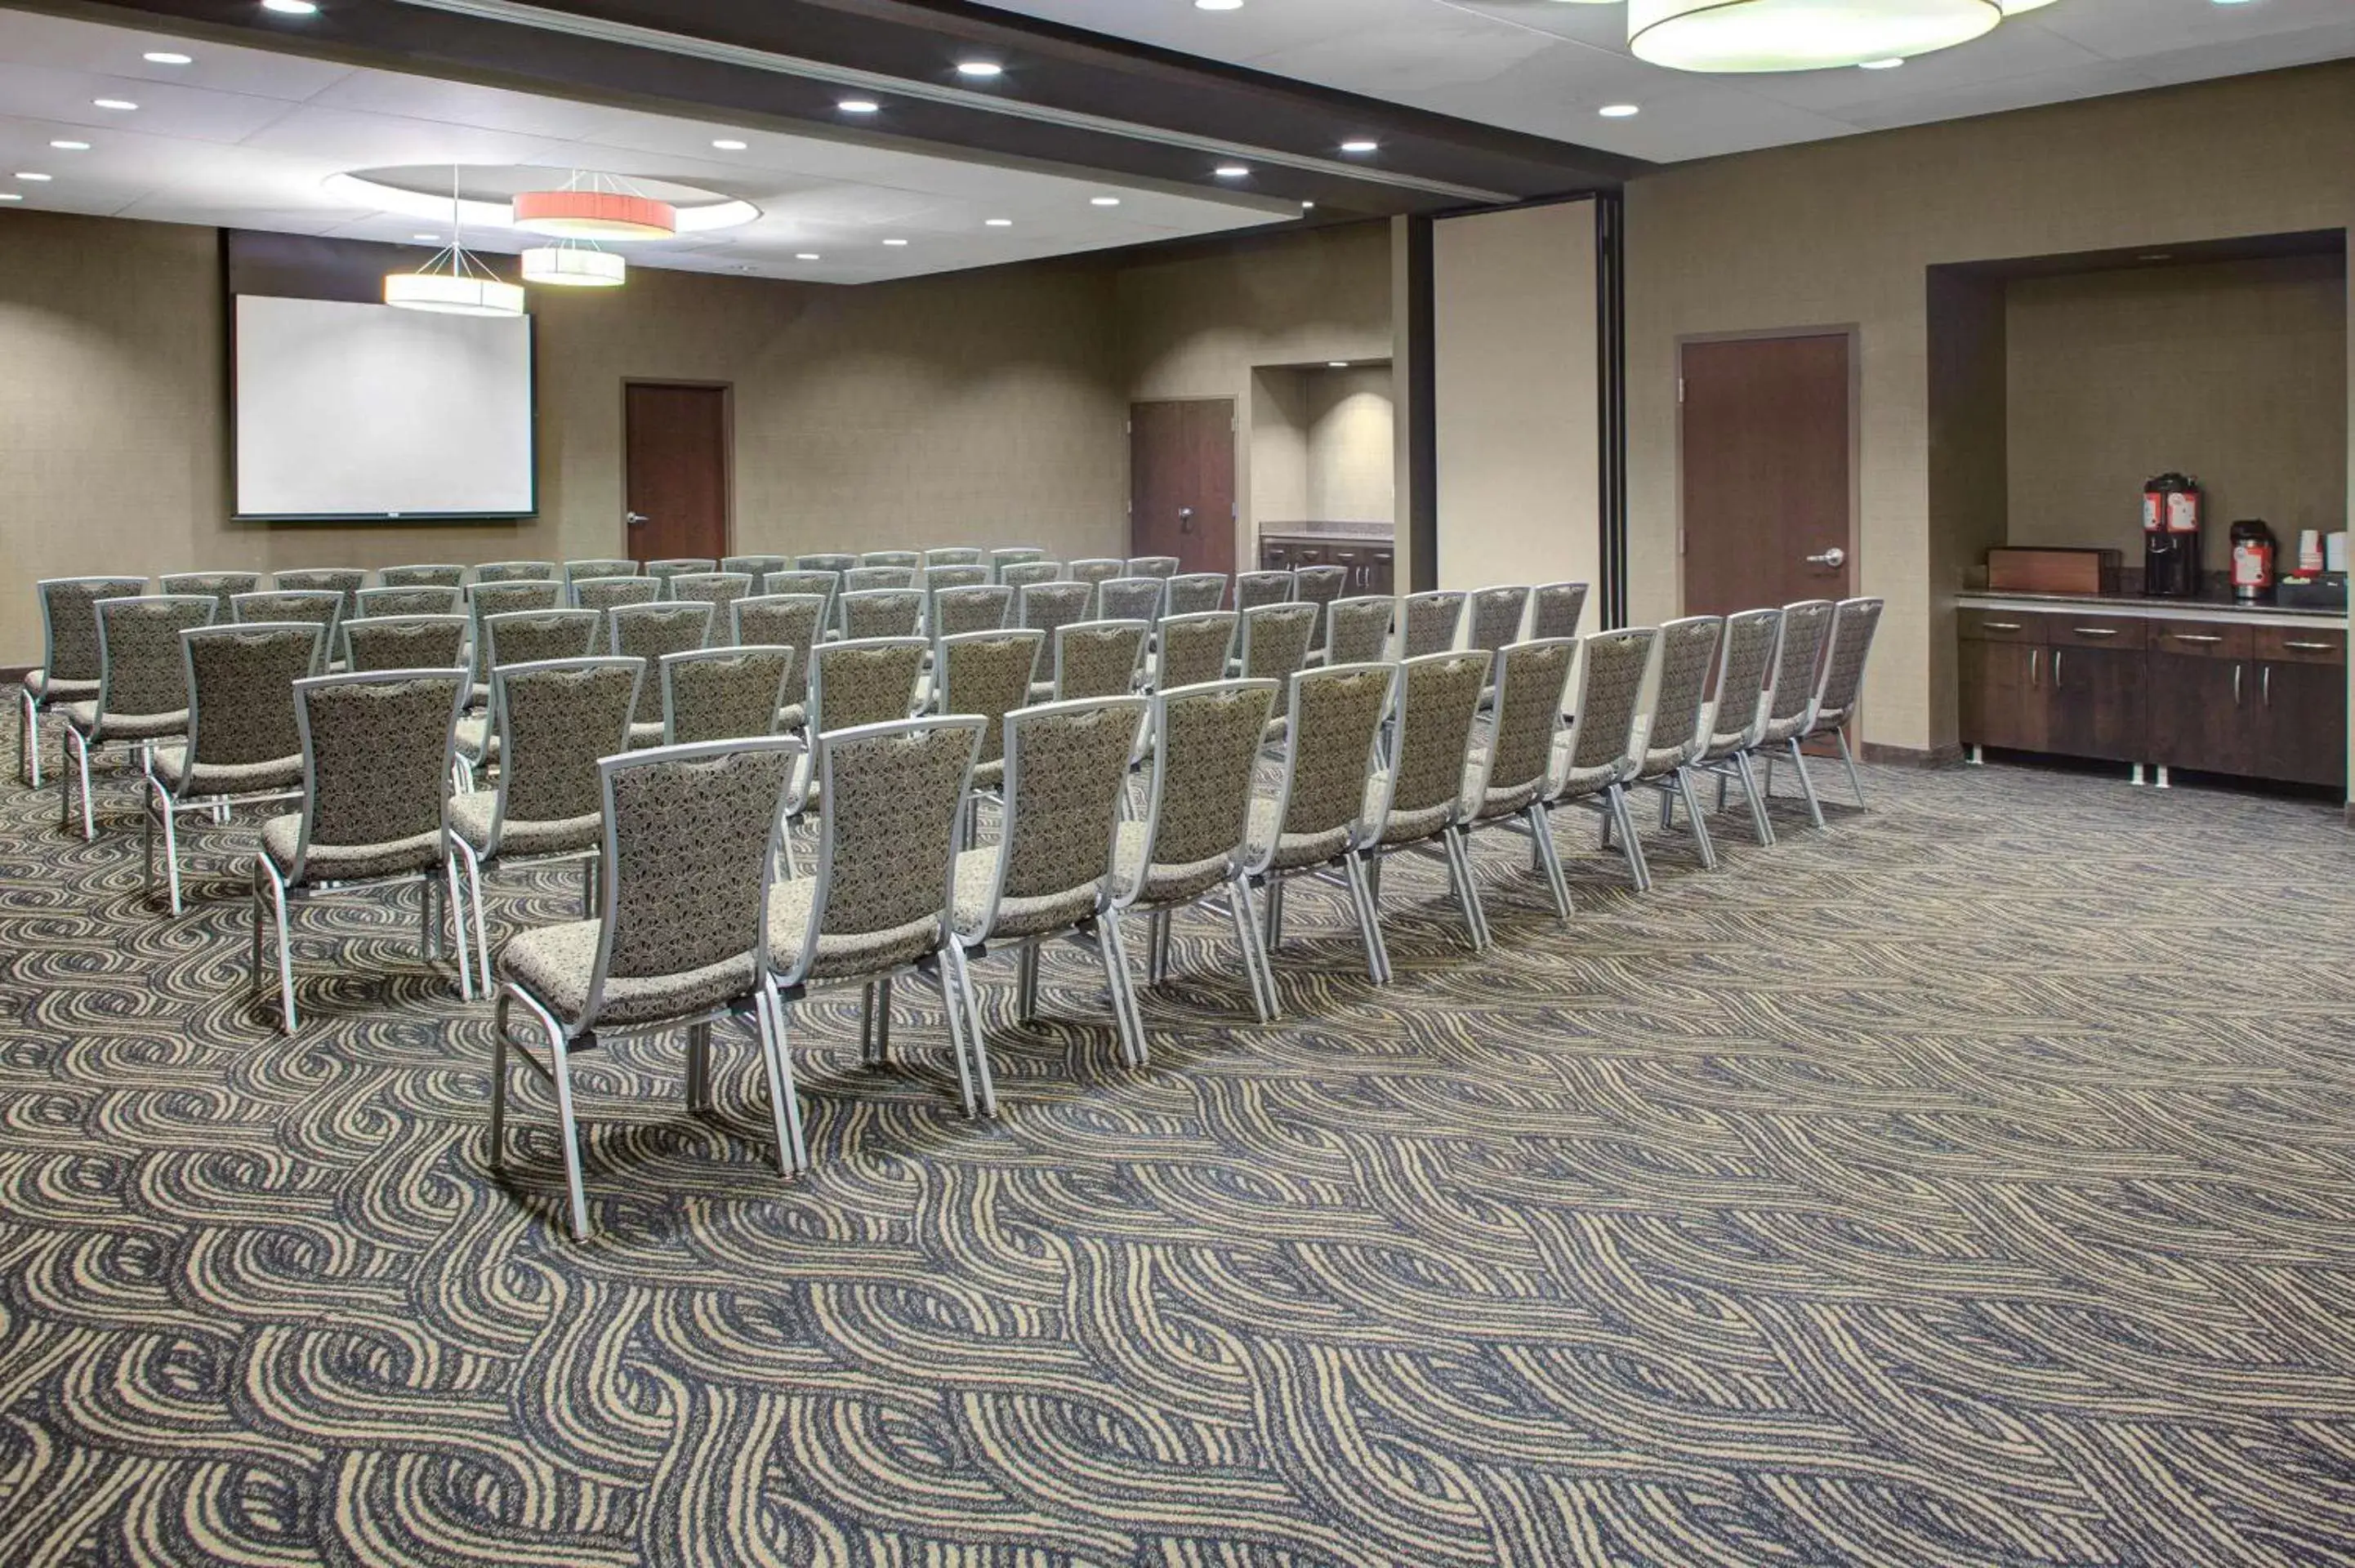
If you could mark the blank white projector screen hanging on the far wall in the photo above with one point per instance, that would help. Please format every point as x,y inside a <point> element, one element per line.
<point>361,411</point>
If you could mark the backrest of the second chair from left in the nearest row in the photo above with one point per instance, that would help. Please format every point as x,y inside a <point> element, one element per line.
<point>891,828</point>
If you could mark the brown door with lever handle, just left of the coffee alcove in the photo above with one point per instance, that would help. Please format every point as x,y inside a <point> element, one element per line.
<point>1765,453</point>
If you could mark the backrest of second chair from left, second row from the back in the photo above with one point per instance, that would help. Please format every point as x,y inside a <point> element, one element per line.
<point>557,719</point>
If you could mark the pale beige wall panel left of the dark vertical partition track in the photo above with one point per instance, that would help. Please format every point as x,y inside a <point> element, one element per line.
<point>1515,397</point>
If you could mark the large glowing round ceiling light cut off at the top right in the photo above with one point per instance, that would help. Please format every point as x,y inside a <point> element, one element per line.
<point>1737,36</point>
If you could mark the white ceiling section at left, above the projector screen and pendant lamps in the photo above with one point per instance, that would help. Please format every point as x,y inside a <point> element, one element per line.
<point>251,140</point>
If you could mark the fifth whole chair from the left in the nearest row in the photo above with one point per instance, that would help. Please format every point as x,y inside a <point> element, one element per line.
<point>1315,820</point>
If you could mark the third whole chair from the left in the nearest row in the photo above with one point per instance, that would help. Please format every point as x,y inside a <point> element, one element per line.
<point>1049,875</point>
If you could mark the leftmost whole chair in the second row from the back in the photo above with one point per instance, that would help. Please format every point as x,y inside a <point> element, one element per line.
<point>376,766</point>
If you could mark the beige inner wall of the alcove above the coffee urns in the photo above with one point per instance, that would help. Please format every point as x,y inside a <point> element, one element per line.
<point>2234,373</point>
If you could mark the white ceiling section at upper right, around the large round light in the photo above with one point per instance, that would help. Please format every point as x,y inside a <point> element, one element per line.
<point>1544,67</point>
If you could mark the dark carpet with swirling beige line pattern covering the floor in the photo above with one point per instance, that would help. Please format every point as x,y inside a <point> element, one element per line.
<point>1965,1185</point>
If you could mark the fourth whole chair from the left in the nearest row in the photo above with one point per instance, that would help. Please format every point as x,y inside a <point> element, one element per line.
<point>1190,844</point>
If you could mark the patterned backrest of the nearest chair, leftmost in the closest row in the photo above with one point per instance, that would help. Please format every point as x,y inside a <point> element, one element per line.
<point>691,849</point>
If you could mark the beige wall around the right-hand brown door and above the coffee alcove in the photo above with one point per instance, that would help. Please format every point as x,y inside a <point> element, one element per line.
<point>1840,234</point>
